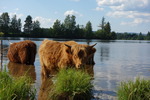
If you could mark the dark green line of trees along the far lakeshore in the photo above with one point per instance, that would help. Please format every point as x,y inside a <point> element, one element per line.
<point>12,27</point>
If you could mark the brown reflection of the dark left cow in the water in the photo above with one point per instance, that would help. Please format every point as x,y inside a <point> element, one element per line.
<point>17,70</point>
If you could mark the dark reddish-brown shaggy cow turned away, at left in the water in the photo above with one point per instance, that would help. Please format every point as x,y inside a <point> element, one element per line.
<point>22,52</point>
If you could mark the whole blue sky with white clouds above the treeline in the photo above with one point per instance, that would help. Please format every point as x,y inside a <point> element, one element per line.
<point>123,15</point>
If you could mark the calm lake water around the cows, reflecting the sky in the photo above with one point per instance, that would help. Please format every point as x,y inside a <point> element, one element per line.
<point>116,61</point>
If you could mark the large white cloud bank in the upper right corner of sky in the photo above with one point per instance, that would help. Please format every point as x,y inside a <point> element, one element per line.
<point>135,10</point>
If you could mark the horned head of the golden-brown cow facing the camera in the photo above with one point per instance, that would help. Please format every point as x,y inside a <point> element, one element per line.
<point>81,53</point>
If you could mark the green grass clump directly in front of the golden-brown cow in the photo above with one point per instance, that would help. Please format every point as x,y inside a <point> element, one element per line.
<point>72,84</point>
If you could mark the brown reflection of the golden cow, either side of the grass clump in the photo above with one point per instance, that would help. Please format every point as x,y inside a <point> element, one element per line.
<point>47,83</point>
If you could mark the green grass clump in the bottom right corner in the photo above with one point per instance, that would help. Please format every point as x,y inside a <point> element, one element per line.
<point>138,90</point>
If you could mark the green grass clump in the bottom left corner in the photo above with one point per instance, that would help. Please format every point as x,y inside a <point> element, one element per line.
<point>15,88</point>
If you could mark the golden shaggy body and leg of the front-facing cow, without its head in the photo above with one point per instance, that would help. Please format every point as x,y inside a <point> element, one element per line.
<point>53,55</point>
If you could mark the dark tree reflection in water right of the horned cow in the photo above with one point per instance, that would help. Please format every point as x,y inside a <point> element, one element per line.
<point>104,53</point>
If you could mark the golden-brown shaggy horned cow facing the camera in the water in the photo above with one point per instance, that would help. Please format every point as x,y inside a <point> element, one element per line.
<point>55,55</point>
